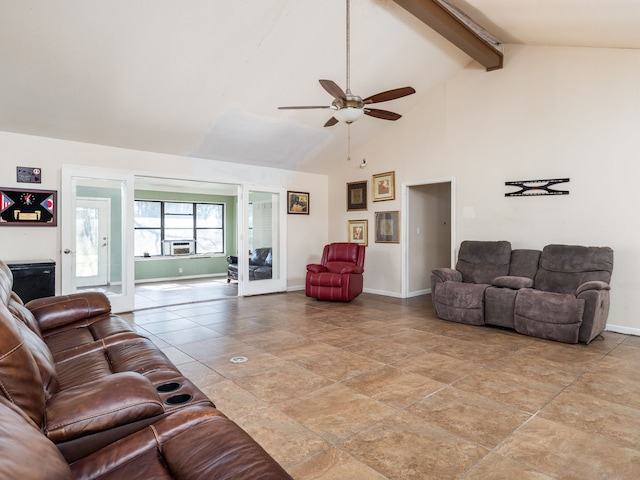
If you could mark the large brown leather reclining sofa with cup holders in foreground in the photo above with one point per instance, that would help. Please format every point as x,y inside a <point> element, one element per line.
<point>87,392</point>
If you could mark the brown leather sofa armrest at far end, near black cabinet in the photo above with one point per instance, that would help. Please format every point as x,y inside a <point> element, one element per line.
<point>52,312</point>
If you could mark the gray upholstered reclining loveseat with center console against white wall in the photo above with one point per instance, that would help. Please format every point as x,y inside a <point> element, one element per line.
<point>560,293</point>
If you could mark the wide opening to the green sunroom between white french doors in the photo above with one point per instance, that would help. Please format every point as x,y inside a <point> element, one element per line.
<point>167,212</point>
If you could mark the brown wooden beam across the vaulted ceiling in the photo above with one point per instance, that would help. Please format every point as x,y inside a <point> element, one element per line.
<point>432,13</point>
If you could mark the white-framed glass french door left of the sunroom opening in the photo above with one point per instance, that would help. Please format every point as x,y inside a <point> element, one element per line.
<point>97,234</point>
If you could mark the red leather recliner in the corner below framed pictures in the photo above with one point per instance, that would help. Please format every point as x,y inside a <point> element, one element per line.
<point>339,275</point>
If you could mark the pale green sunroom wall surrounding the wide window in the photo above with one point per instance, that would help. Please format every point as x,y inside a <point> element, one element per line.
<point>169,267</point>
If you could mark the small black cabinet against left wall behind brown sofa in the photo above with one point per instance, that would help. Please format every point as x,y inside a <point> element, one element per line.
<point>34,279</point>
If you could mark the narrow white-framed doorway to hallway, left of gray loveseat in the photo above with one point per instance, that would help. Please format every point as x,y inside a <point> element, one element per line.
<point>429,233</point>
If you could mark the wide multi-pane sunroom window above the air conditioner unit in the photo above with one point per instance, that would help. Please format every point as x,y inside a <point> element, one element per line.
<point>156,221</point>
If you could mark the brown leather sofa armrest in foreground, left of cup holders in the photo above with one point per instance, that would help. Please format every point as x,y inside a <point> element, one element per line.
<point>108,402</point>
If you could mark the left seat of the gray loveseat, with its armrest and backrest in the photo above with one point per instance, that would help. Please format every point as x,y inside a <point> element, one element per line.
<point>458,295</point>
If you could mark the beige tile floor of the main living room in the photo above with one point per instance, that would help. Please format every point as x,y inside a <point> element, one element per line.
<point>381,389</point>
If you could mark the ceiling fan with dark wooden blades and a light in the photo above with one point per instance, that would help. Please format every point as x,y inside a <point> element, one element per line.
<point>348,107</point>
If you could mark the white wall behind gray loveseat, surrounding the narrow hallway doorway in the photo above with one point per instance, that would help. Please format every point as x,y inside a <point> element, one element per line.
<point>550,113</point>
